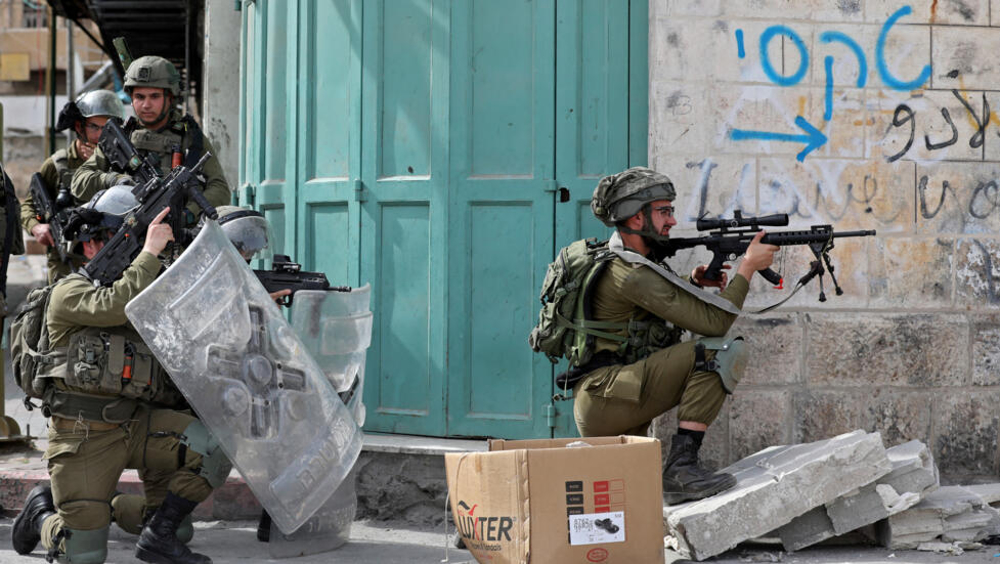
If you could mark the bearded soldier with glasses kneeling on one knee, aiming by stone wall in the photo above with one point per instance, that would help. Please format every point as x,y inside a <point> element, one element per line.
<point>632,380</point>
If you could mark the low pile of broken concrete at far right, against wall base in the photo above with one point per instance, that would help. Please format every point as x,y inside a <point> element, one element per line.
<point>949,514</point>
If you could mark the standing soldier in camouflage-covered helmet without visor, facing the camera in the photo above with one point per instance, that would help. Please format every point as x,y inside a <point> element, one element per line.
<point>159,132</point>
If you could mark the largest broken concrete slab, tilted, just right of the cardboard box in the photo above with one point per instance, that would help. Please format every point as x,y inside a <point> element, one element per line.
<point>773,487</point>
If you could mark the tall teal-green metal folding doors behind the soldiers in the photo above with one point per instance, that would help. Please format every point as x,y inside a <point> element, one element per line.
<point>420,146</point>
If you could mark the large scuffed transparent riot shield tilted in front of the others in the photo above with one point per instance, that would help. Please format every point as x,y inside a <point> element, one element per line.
<point>247,375</point>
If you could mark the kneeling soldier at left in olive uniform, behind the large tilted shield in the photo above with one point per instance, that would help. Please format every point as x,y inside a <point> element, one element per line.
<point>105,393</point>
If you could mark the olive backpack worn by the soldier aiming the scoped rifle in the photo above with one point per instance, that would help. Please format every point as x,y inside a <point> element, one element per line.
<point>564,329</point>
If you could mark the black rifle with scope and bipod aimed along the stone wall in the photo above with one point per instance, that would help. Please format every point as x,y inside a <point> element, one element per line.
<point>732,236</point>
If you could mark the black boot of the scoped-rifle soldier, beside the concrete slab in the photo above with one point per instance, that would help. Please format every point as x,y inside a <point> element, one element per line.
<point>685,479</point>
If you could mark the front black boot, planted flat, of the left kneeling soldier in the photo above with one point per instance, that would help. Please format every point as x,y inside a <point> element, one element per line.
<point>158,542</point>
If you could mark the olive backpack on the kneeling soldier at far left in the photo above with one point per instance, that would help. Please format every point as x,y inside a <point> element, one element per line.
<point>29,341</point>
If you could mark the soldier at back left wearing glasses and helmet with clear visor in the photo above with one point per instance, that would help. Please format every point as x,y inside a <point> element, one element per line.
<point>86,115</point>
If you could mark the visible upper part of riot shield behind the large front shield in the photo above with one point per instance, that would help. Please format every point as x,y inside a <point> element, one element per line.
<point>336,329</point>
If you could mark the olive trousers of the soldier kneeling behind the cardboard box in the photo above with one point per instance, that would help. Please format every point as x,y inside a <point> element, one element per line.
<point>624,399</point>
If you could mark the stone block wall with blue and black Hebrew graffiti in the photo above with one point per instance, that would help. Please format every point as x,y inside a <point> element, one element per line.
<point>906,94</point>
